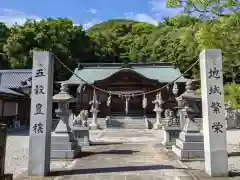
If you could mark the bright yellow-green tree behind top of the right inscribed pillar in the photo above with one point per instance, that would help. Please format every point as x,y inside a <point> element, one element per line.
<point>225,35</point>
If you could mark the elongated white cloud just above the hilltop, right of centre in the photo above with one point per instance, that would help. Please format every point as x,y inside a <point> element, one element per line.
<point>141,17</point>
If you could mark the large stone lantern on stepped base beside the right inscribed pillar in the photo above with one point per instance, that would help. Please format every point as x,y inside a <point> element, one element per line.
<point>189,145</point>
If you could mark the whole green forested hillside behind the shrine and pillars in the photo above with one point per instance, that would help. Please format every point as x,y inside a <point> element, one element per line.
<point>178,40</point>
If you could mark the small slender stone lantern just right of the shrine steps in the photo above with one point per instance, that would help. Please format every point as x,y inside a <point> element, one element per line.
<point>158,109</point>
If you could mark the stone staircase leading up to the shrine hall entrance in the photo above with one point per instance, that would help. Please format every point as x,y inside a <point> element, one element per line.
<point>128,122</point>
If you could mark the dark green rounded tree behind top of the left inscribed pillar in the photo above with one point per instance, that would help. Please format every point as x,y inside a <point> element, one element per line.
<point>59,36</point>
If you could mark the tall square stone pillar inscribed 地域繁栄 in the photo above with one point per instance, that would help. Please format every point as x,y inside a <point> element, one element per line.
<point>214,129</point>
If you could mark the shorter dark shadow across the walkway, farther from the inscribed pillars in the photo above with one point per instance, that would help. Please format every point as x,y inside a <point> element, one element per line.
<point>120,152</point>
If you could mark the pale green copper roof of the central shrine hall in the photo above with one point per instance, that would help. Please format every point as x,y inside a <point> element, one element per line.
<point>160,72</point>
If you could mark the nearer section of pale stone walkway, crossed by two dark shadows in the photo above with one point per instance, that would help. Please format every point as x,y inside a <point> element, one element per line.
<point>124,162</point>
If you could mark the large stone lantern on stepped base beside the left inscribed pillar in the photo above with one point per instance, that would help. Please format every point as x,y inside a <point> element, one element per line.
<point>63,144</point>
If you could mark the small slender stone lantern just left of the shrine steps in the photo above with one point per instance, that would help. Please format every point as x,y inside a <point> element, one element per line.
<point>94,110</point>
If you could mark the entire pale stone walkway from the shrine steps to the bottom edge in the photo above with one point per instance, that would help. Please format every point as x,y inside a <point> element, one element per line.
<point>124,155</point>
